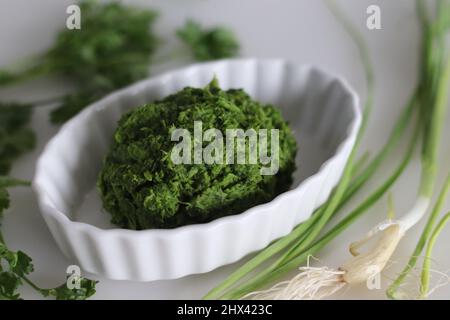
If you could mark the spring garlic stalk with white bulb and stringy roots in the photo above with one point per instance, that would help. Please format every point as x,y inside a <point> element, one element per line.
<point>432,97</point>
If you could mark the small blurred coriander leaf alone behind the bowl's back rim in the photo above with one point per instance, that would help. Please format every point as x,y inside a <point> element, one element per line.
<point>209,44</point>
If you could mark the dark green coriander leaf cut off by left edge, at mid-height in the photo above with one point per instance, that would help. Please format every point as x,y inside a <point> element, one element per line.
<point>16,138</point>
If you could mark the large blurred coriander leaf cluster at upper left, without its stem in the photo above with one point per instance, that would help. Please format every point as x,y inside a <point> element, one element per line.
<point>112,50</point>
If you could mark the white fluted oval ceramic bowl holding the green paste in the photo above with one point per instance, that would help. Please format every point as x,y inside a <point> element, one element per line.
<point>322,110</point>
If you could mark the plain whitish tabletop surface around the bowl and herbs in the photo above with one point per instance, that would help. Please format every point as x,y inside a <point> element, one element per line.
<point>298,30</point>
